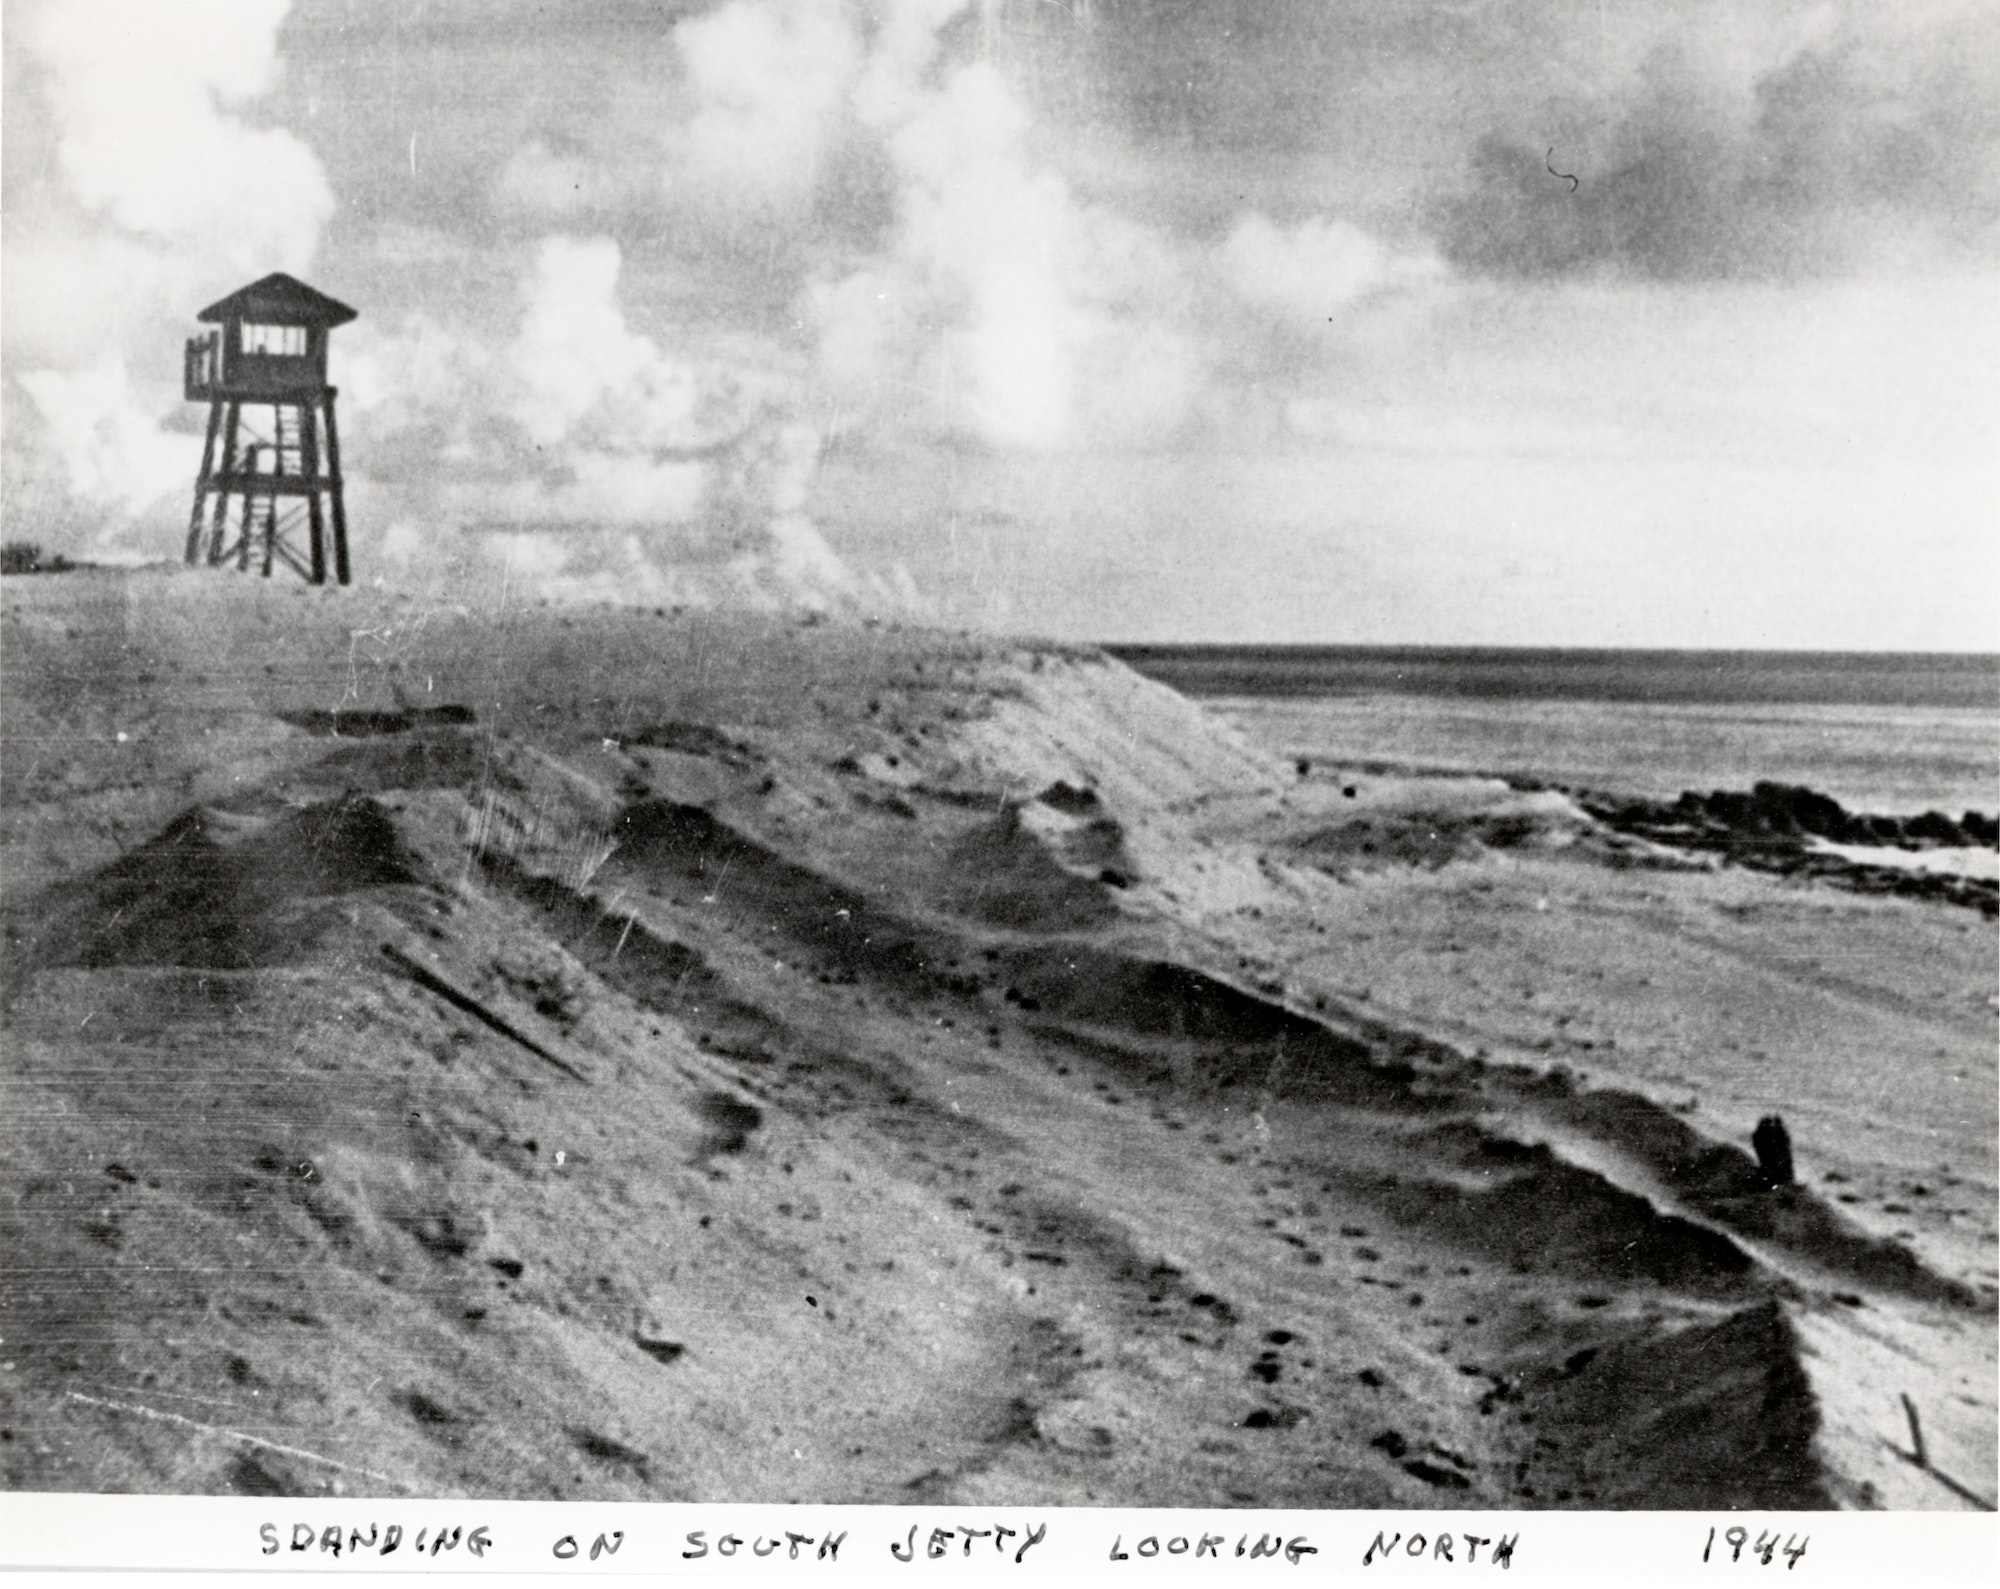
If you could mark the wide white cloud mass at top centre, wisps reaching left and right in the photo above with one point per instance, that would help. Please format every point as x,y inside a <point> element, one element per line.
<point>881,169</point>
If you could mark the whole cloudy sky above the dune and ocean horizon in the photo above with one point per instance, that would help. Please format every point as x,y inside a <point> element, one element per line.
<point>1351,321</point>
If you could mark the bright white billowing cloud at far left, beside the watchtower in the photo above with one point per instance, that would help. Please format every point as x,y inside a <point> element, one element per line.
<point>161,189</point>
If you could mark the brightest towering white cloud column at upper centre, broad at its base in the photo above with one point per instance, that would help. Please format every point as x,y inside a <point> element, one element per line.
<point>997,305</point>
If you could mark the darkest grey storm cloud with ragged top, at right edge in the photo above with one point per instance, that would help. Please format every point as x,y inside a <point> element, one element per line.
<point>1837,159</point>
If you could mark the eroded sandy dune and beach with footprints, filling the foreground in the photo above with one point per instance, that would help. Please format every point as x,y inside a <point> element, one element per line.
<point>641,1056</point>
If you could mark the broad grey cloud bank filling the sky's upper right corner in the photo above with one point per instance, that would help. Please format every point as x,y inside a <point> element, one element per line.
<point>1713,139</point>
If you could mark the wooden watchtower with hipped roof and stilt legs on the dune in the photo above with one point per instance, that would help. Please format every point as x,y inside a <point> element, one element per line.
<point>271,465</point>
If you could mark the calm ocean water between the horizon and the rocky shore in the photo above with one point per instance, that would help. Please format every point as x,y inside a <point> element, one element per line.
<point>1893,733</point>
